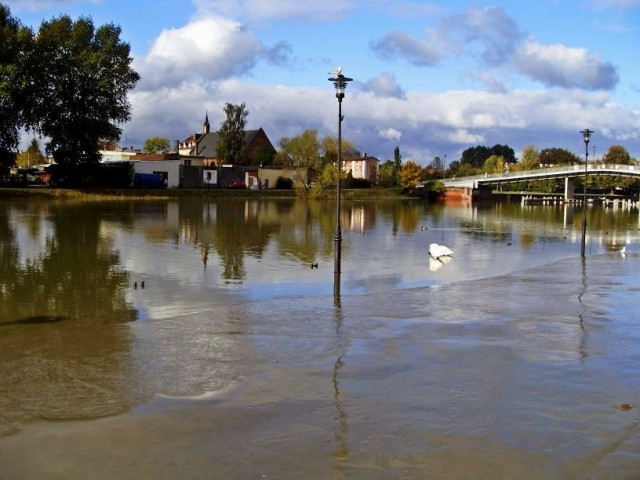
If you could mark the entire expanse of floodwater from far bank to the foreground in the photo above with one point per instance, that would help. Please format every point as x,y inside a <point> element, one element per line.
<point>193,340</point>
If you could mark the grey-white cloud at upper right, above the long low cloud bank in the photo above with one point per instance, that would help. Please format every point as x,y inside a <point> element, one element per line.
<point>491,35</point>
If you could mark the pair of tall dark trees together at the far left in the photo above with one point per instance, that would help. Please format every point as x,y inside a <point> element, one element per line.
<point>68,82</point>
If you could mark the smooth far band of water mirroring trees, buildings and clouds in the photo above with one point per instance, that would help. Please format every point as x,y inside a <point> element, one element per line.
<point>80,260</point>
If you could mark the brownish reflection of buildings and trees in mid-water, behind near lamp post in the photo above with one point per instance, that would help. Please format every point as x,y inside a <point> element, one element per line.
<point>303,230</point>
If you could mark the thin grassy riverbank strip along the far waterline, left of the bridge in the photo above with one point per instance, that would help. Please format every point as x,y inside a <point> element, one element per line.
<point>134,194</point>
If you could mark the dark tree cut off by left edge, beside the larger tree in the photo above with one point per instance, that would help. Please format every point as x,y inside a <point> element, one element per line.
<point>14,42</point>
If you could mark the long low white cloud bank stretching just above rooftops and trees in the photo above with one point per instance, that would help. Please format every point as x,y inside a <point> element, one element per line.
<point>423,125</point>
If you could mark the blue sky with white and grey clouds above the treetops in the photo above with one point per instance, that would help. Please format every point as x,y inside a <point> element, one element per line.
<point>430,77</point>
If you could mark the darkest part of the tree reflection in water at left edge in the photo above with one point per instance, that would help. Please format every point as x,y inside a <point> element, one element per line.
<point>78,275</point>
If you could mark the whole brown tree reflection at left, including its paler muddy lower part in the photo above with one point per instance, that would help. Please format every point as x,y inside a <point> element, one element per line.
<point>63,352</point>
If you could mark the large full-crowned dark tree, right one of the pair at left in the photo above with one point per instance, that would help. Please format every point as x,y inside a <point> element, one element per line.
<point>80,80</point>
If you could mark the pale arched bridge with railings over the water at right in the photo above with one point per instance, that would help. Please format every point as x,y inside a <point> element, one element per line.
<point>568,172</point>
